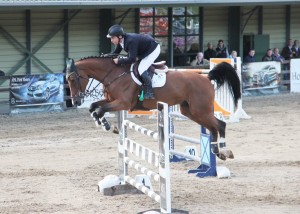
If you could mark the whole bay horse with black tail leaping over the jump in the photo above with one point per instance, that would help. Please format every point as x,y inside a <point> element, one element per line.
<point>192,91</point>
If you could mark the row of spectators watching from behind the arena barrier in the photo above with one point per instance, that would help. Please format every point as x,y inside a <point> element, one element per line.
<point>196,58</point>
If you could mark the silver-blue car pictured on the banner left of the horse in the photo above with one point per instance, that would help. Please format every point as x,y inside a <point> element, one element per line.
<point>43,88</point>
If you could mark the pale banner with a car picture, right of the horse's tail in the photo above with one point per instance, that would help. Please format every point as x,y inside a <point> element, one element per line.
<point>260,78</point>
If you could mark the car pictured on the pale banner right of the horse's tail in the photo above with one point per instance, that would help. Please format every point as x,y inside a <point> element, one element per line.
<point>266,76</point>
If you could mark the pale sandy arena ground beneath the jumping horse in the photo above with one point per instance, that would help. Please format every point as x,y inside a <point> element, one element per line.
<point>52,162</point>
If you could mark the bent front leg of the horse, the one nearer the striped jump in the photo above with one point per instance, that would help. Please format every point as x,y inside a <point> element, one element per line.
<point>116,105</point>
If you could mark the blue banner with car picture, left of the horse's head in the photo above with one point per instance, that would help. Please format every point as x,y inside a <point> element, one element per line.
<point>32,93</point>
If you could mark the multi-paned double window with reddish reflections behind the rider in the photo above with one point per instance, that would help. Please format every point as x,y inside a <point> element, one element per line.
<point>185,28</point>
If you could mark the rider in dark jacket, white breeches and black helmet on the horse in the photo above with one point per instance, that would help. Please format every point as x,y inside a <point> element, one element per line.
<point>139,47</point>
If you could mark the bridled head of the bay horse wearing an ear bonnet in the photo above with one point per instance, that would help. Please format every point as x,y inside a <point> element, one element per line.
<point>77,81</point>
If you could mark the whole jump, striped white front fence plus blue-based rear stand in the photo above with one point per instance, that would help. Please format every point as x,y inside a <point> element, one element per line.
<point>159,159</point>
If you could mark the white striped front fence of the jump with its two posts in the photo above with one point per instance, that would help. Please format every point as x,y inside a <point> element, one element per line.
<point>160,160</point>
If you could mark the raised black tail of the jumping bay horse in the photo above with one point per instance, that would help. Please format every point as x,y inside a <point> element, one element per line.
<point>224,72</point>
